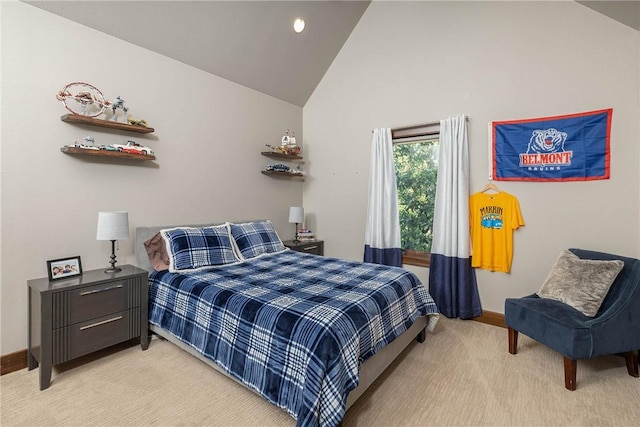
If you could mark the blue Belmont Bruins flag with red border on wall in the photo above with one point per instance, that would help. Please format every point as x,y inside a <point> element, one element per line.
<point>573,147</point>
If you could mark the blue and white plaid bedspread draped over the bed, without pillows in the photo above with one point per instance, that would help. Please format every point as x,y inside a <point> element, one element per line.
<point>293,327</point>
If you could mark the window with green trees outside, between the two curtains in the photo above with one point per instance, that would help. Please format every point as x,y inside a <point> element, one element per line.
<point>416,161</point>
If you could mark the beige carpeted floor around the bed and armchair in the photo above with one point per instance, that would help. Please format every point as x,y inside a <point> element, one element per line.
<point>462,375</point>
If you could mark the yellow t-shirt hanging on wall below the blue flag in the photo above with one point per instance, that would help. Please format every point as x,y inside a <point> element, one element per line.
<point>493,219</point>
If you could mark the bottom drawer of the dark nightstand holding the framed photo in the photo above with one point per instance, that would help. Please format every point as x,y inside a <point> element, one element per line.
<point>95,334</point>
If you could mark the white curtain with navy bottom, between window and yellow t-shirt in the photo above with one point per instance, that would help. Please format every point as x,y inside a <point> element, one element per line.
<point>452,281</point>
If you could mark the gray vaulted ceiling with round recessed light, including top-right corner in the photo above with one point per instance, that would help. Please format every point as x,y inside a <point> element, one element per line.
<point>251,43</point>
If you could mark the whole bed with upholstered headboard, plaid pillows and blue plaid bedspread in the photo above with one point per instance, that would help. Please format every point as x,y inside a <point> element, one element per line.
<point>307,333</point>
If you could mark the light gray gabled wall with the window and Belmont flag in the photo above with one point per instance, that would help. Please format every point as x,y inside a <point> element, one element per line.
<point>415,62</point>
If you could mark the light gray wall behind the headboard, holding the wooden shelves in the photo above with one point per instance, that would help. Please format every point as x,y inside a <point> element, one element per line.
<point>208,138</point>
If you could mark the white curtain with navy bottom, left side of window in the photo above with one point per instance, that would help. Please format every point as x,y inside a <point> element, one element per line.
<point>382,236</point>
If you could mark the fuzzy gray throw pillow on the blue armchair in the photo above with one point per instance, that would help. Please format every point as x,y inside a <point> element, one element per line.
<point>581,283</point>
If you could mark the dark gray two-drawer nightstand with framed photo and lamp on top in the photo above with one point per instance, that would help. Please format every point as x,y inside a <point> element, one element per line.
<point>77,316</point>
